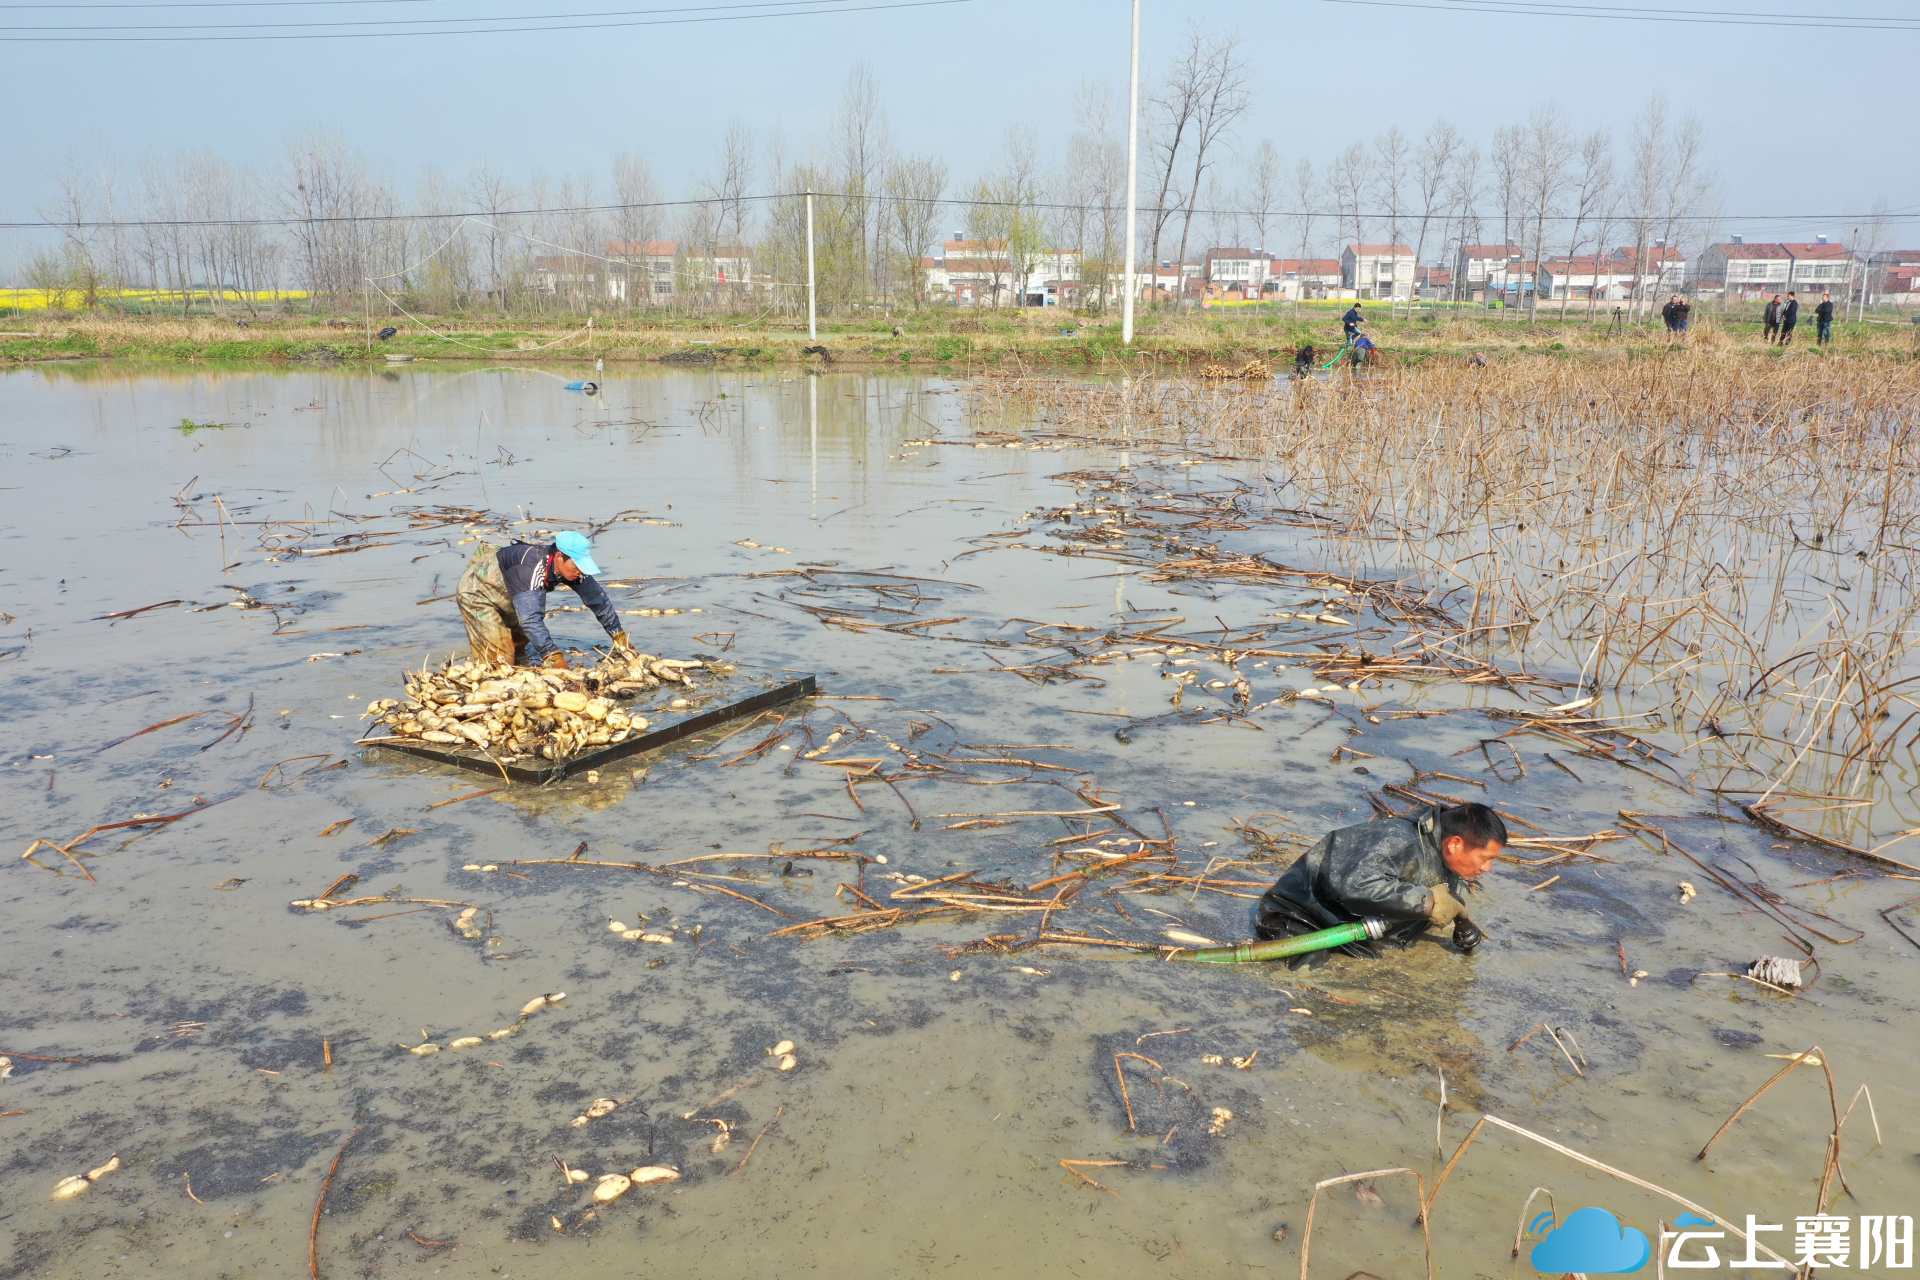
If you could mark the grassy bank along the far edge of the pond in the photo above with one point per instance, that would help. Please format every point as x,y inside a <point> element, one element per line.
<point>913,341</point>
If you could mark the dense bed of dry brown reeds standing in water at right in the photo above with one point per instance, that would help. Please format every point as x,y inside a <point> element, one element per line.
<point>1723,544</point>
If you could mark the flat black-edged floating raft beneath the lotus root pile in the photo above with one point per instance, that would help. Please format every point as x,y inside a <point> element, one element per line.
<point>738,696</point>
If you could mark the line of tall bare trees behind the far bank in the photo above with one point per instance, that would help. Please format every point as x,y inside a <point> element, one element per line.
<point>212,233</point>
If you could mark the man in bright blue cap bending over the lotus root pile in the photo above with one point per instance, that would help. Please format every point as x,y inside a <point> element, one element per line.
<point>504,600</point>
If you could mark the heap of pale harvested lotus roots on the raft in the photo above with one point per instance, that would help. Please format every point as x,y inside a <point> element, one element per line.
<point>517,711</point>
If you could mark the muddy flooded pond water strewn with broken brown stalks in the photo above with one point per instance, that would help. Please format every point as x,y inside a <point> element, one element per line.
<point>1032,740</point>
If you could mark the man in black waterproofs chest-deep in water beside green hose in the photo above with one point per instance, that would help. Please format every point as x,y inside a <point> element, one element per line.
<point>1412,872</point>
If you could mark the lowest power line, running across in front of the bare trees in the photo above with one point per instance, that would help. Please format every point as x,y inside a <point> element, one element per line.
<point>1404,220</point>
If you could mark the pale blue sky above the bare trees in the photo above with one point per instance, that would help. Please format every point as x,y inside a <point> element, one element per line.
<point>1806,128</point>
